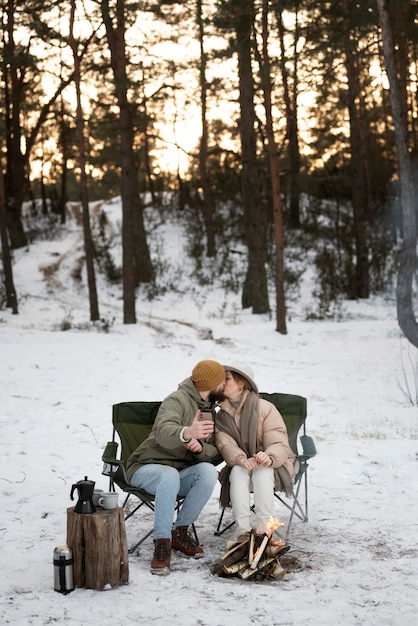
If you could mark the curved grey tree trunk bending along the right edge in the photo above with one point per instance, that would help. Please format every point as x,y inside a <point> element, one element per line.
<point>408,255</point>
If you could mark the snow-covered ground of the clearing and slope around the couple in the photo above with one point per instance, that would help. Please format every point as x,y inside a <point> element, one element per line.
<point>354,562</point>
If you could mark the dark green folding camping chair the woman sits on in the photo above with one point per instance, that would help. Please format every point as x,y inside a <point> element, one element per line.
<point>293,409</point>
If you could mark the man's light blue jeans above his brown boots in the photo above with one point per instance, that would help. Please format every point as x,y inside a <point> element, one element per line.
<point>195,483</point>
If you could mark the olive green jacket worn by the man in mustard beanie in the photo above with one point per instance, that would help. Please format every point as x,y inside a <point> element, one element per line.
<point>163,445</point>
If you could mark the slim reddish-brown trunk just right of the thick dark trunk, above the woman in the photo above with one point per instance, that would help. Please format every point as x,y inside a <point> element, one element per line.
<point>275,178</point>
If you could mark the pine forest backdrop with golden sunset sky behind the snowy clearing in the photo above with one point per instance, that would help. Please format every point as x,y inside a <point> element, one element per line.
<point>285,130</point>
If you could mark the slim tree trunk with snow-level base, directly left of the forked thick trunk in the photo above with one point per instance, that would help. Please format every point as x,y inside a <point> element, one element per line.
<point>88,240</point>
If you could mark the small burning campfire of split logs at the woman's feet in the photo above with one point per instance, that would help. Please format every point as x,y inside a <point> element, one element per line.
<point>254,558</point>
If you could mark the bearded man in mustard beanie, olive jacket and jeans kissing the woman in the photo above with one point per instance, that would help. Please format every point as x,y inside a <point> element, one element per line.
<point>175,460</point>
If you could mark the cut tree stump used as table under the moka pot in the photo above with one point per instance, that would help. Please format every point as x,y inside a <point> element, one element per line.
<point>100,548</point>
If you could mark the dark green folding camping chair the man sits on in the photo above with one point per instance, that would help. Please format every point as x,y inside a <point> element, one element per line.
<point>132,423</point>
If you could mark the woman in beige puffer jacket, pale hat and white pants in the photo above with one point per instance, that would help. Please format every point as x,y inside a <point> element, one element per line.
<point>252,438</point>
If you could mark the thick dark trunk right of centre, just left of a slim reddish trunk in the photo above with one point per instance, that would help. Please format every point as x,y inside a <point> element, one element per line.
<point>255,291</point>
